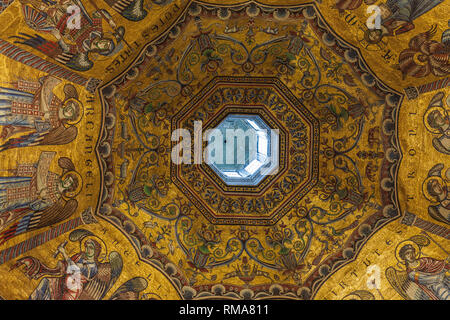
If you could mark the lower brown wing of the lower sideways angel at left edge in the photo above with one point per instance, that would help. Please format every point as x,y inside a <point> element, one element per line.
<point>34,220</point>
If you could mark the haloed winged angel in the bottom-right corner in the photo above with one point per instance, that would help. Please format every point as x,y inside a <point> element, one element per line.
<point>420,278</point>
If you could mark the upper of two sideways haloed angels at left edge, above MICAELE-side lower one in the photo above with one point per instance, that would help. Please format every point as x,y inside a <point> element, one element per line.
<point>34,115</point>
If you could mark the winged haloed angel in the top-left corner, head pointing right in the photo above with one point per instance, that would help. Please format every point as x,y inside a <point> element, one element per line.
<point>73,47</point>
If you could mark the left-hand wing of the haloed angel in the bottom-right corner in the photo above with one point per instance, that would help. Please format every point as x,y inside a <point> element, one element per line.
<point>406,288</point>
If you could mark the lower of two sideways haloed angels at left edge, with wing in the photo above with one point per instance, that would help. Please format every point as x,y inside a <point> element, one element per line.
<point>35,197</point>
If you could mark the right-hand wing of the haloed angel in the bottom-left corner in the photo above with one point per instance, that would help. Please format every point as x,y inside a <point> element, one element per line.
<point>107,275</point>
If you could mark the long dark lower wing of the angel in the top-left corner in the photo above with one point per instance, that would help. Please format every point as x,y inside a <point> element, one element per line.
<point>59,51</point>
